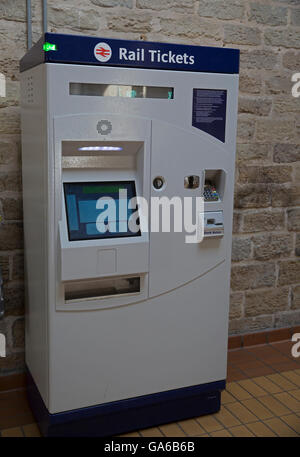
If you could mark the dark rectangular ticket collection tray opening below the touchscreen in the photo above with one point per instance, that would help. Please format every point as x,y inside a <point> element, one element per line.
<point>98,288</point>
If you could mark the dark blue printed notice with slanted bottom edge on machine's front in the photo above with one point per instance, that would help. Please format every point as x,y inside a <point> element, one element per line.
<point>209,111</point>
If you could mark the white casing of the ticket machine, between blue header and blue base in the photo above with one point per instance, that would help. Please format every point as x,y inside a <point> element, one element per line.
<point>173,333</point>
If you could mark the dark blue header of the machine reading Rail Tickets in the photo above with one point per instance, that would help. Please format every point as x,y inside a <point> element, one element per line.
<point>87,50</point>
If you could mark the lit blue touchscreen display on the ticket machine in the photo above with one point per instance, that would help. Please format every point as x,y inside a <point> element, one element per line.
<point>97,210</point>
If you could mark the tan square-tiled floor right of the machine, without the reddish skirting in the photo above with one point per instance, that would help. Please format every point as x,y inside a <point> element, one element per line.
<point>264,406</point>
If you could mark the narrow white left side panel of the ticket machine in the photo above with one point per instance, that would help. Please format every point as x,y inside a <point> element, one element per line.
<point>34,175</point>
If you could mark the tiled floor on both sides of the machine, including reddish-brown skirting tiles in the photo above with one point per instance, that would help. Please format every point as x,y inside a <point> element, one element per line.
<point>264,406</point>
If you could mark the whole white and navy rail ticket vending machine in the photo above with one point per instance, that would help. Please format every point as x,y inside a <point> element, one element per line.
<point>126,326</point>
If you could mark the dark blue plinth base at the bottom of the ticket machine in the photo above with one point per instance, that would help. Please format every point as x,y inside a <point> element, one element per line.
<point>126,415</point>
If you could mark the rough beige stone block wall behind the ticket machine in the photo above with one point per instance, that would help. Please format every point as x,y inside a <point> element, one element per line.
<point>266,242</point>
